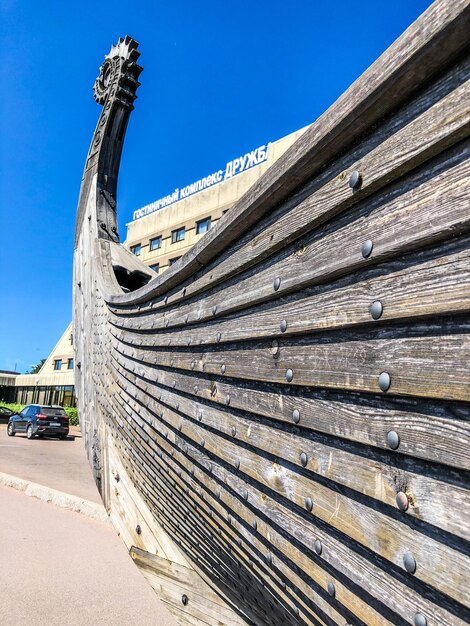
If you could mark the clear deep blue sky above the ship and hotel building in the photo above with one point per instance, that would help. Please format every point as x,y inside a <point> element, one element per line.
<point>219,79</point>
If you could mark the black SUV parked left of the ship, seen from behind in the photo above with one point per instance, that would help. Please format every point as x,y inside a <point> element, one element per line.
<point>40,420</point>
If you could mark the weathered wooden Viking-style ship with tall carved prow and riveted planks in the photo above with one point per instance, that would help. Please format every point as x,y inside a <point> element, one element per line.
<point>278,425</point>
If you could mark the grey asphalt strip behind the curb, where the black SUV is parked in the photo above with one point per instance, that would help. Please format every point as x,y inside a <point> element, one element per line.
<point>62,465</point>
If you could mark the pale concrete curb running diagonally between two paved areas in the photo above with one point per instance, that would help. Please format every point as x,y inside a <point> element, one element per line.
<point>59,498</point>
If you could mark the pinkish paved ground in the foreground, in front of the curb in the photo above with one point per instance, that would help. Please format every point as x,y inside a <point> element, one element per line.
<point>58,567</point>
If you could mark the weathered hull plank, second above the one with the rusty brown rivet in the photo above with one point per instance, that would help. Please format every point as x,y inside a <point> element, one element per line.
<point>417,366</point>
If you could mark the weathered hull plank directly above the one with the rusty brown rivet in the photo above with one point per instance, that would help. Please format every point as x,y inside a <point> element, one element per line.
<point>353,416</point>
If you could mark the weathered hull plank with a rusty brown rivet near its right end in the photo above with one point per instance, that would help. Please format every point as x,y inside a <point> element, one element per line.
<point>371,476</point>
